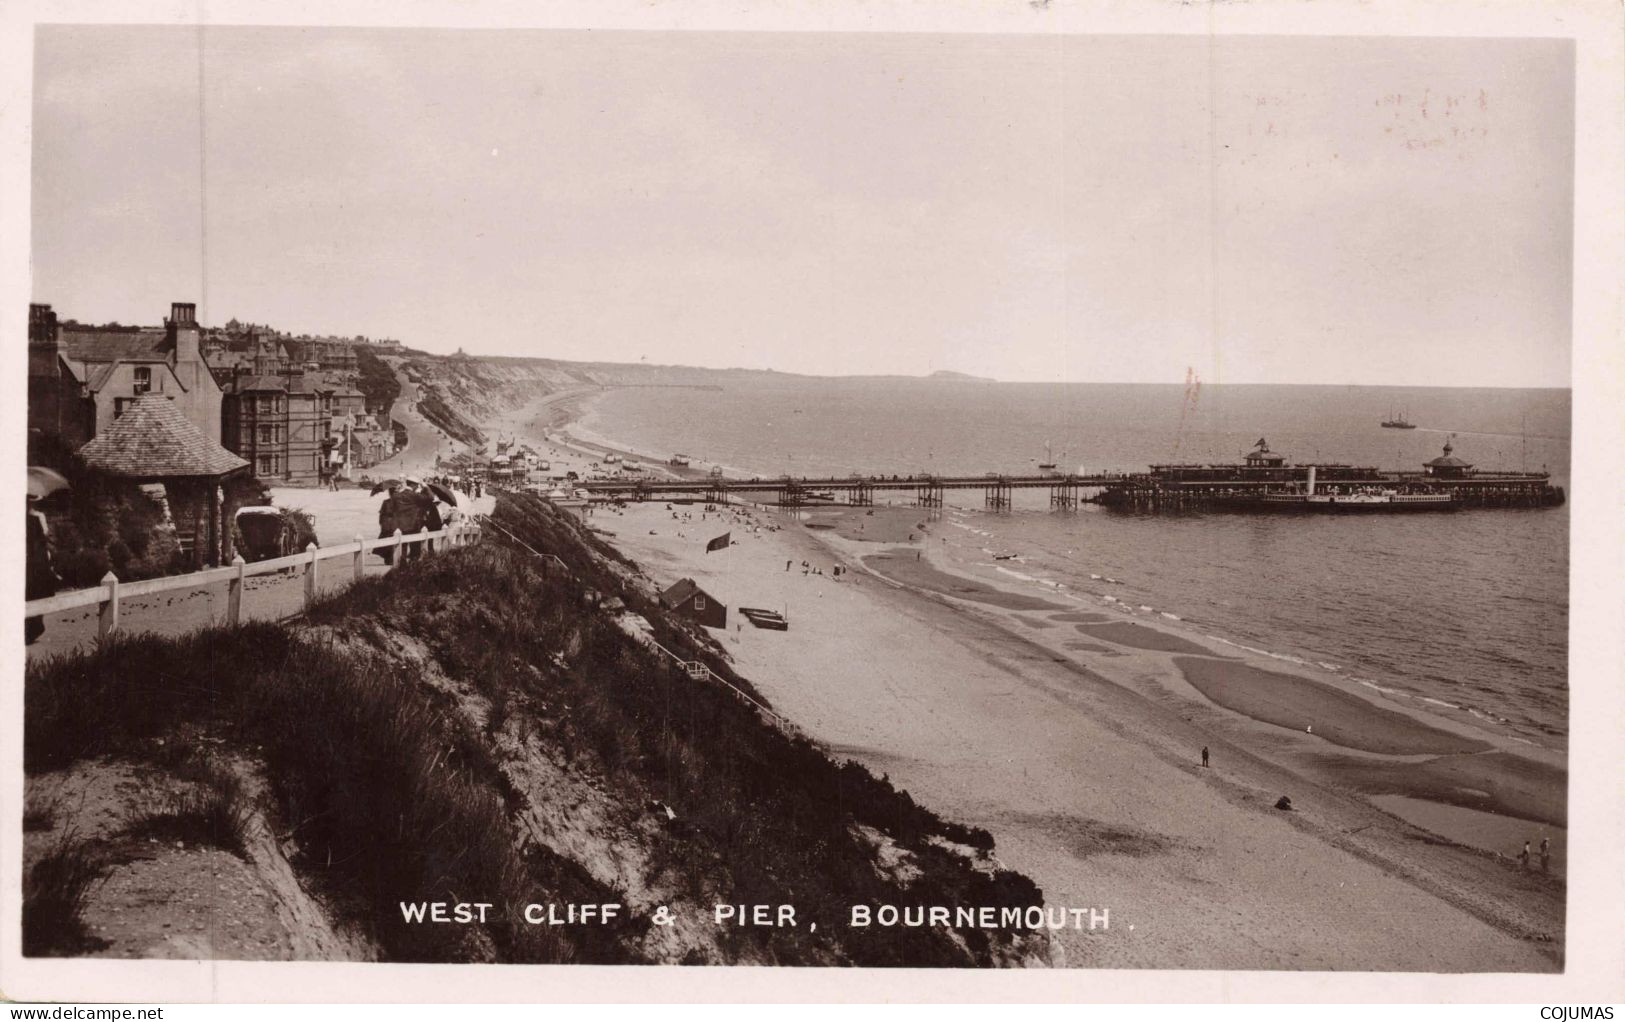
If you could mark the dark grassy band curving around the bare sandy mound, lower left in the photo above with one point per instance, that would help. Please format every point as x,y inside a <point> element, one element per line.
<point>384,795</point>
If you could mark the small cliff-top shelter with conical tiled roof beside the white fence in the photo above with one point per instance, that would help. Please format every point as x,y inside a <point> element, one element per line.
<point>152,443</point>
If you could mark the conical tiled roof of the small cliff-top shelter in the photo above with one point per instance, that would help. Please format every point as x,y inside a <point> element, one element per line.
<point>154,441</point>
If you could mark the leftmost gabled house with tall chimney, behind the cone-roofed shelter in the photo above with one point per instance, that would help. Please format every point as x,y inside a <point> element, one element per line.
<point>80,381</point>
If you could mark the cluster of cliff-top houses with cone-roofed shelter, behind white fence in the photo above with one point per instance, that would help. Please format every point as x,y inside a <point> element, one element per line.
<point>162,436</point>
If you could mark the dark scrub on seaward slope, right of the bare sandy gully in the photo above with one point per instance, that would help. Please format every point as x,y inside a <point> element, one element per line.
<point>768,818</point>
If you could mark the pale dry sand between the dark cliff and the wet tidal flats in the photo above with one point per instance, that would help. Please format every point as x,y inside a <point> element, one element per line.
<point>1090,786</point>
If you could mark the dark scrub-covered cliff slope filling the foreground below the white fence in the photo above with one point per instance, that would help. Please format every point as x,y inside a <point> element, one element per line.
<point>470,729</point>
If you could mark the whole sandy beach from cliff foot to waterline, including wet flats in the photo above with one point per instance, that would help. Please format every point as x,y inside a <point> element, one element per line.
<point>1075,735</point>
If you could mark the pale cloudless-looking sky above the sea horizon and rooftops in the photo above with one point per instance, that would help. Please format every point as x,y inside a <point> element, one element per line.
<point>1132,209</point>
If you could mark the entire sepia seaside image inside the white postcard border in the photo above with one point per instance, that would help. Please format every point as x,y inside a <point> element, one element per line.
<point>883,500</point>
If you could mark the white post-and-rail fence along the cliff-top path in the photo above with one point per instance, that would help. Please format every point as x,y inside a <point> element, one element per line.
<point>111,592</point>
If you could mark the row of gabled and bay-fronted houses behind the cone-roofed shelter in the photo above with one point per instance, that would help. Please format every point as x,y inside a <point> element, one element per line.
<point>288,409</point>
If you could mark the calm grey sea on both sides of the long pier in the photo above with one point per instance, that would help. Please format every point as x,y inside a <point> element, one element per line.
<point>1465,613</point>
